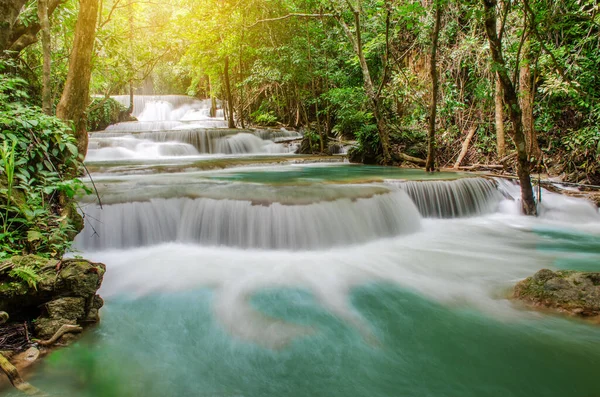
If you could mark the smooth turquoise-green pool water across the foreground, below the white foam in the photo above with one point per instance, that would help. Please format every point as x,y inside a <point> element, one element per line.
<point>171,345</point>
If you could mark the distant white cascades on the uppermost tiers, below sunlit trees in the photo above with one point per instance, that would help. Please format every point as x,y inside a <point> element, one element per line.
<point>169,125</point>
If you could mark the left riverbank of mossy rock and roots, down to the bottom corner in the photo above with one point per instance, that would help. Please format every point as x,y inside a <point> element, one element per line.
<point>44,303</point>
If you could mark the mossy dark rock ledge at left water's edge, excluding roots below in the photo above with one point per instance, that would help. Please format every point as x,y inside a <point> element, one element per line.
<point>50,294</point>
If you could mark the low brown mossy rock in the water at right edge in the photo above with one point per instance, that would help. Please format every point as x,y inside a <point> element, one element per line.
<point>571,292</point>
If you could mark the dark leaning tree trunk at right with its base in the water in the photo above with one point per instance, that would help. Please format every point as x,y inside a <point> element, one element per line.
<point>511,99</point>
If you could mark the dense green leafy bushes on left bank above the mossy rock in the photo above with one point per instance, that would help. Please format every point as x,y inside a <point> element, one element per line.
<point>38,159</point>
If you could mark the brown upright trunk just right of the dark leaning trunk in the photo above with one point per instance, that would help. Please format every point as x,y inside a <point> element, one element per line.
<point>526,96</point>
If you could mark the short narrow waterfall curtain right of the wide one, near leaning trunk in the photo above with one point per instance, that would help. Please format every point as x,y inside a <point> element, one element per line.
<point>453,199</point>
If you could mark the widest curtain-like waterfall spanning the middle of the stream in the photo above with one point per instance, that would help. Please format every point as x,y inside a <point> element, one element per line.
<point>242,223</point>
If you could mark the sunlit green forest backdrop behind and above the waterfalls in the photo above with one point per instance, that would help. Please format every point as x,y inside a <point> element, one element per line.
<point>348,71</point>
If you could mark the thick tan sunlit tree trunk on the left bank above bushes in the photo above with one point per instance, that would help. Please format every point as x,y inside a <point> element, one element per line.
<point>76,93</point>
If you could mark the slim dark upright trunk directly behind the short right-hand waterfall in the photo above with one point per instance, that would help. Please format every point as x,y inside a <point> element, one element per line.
<point>430,162</point>
